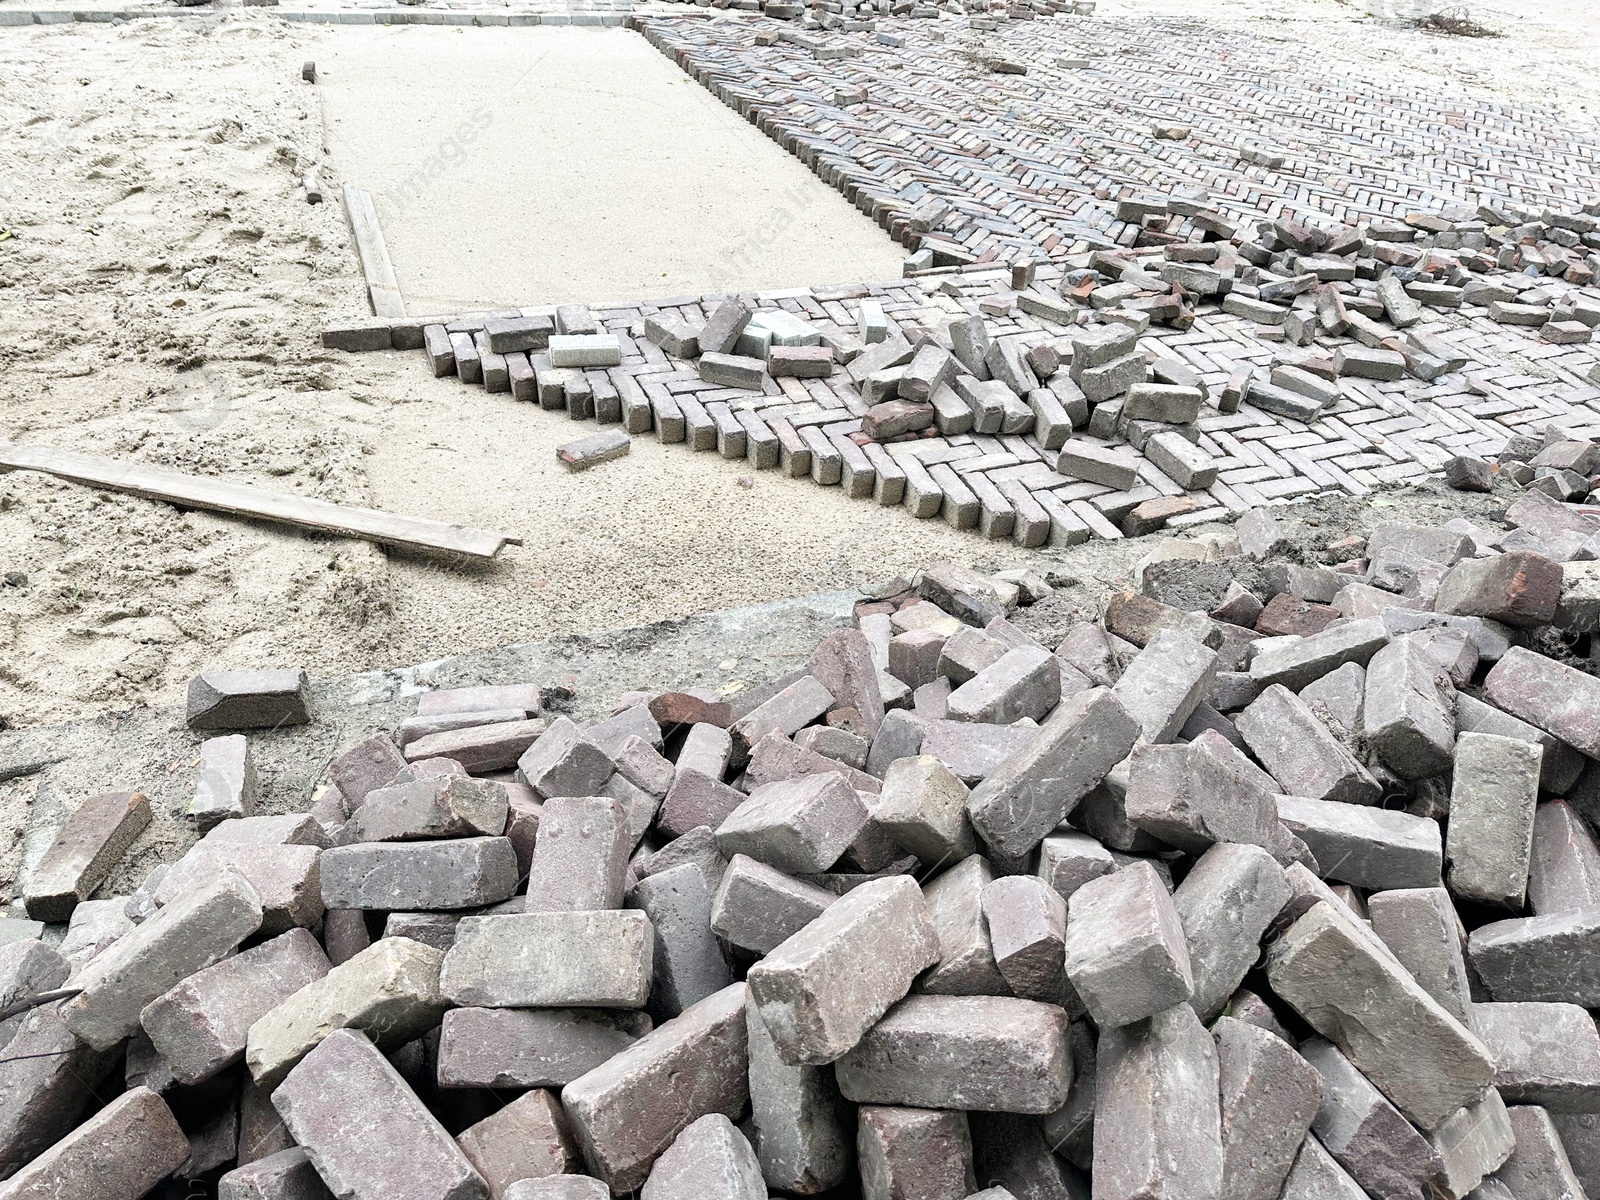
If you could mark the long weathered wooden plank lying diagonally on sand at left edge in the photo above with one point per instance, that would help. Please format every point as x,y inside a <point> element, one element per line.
<point>246,500</point>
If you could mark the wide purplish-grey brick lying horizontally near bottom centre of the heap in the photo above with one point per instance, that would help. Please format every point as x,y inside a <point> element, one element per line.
<point>962,1052</point>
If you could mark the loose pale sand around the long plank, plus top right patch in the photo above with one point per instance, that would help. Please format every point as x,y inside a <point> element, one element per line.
<point>161,298</point>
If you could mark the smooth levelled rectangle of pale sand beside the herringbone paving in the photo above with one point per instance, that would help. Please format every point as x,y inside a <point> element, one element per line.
<point>551,166</point>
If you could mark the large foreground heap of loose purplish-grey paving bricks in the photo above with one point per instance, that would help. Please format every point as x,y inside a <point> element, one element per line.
<point>1281,879</point>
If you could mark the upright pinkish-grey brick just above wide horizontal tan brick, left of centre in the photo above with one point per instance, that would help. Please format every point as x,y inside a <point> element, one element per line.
<point>580,858</point>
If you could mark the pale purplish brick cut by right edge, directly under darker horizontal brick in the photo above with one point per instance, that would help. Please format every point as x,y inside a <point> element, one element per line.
<point>1545,1054</point>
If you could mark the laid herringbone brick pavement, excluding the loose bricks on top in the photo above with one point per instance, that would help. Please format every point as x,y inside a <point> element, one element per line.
<point>1033,167</point>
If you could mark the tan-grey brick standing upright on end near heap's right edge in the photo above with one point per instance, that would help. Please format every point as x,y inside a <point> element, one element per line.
<point>1492,807</point>
